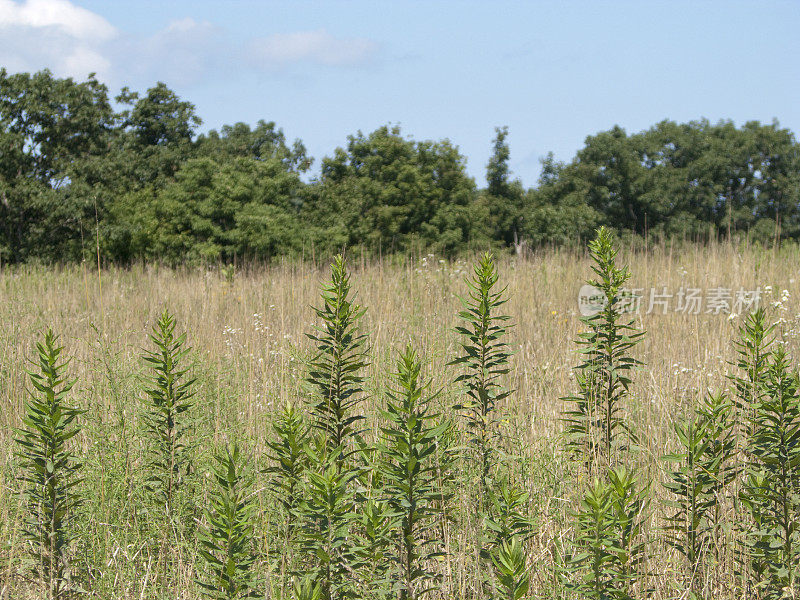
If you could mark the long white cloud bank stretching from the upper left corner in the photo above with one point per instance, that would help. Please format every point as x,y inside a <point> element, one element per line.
<point>73,41</point>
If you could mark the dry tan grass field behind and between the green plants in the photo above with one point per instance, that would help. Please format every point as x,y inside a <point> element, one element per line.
<point>247,332</point>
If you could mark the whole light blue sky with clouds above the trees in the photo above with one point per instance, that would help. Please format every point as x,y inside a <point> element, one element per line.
<point>552,72</point>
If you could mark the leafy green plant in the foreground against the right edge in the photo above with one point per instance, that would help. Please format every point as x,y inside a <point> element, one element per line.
<point>771,492</point>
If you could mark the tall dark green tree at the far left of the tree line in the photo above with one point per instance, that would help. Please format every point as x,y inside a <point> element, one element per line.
<point>49,128</point>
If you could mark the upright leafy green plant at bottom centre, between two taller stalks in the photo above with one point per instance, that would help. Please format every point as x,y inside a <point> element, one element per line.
<point>409,444</point>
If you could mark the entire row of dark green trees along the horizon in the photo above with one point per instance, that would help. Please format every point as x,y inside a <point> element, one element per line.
<point>131,176</point>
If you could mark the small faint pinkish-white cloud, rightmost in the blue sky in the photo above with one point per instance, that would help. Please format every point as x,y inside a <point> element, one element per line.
<point>318,47</point>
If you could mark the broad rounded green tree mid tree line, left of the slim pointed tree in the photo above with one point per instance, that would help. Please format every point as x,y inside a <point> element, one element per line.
<point>389,193</point>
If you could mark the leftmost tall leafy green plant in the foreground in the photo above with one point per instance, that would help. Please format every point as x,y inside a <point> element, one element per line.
<point>49,471</point>
